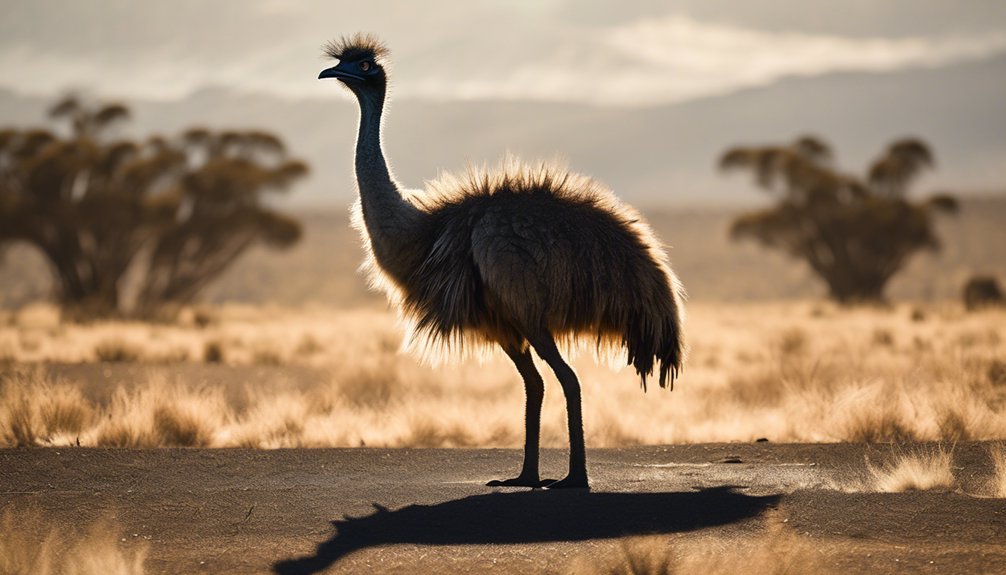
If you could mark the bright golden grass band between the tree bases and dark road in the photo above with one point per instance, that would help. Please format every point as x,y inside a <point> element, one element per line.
<point>788,372</point>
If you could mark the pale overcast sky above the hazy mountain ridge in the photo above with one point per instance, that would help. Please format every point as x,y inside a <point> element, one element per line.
<point>611,54</point>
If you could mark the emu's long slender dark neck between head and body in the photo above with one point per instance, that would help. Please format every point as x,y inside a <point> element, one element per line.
<point>392,223</point>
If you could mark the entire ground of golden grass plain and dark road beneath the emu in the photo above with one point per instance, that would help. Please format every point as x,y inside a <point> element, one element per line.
<point>802,438</point>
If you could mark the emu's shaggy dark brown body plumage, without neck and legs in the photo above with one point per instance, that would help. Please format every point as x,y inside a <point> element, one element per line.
<point>522,251</point>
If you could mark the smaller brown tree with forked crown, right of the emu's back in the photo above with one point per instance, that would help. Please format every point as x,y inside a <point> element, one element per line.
<point>856,234</point>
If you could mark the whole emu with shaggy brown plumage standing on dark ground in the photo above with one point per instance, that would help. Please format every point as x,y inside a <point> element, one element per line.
<point>522,257</point>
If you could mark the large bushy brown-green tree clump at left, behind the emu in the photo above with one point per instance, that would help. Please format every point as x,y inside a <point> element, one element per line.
<point>181,211</point>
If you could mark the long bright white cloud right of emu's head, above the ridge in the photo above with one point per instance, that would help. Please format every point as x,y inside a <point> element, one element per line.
<point>677,59</point>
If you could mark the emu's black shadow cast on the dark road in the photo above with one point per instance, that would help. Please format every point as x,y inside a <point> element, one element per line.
<point>532,517</point>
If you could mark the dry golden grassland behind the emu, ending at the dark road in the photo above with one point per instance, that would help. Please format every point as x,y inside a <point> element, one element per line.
<point>768,359</point>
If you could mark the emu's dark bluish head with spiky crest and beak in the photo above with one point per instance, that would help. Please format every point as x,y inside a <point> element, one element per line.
<point>362,64</point>
